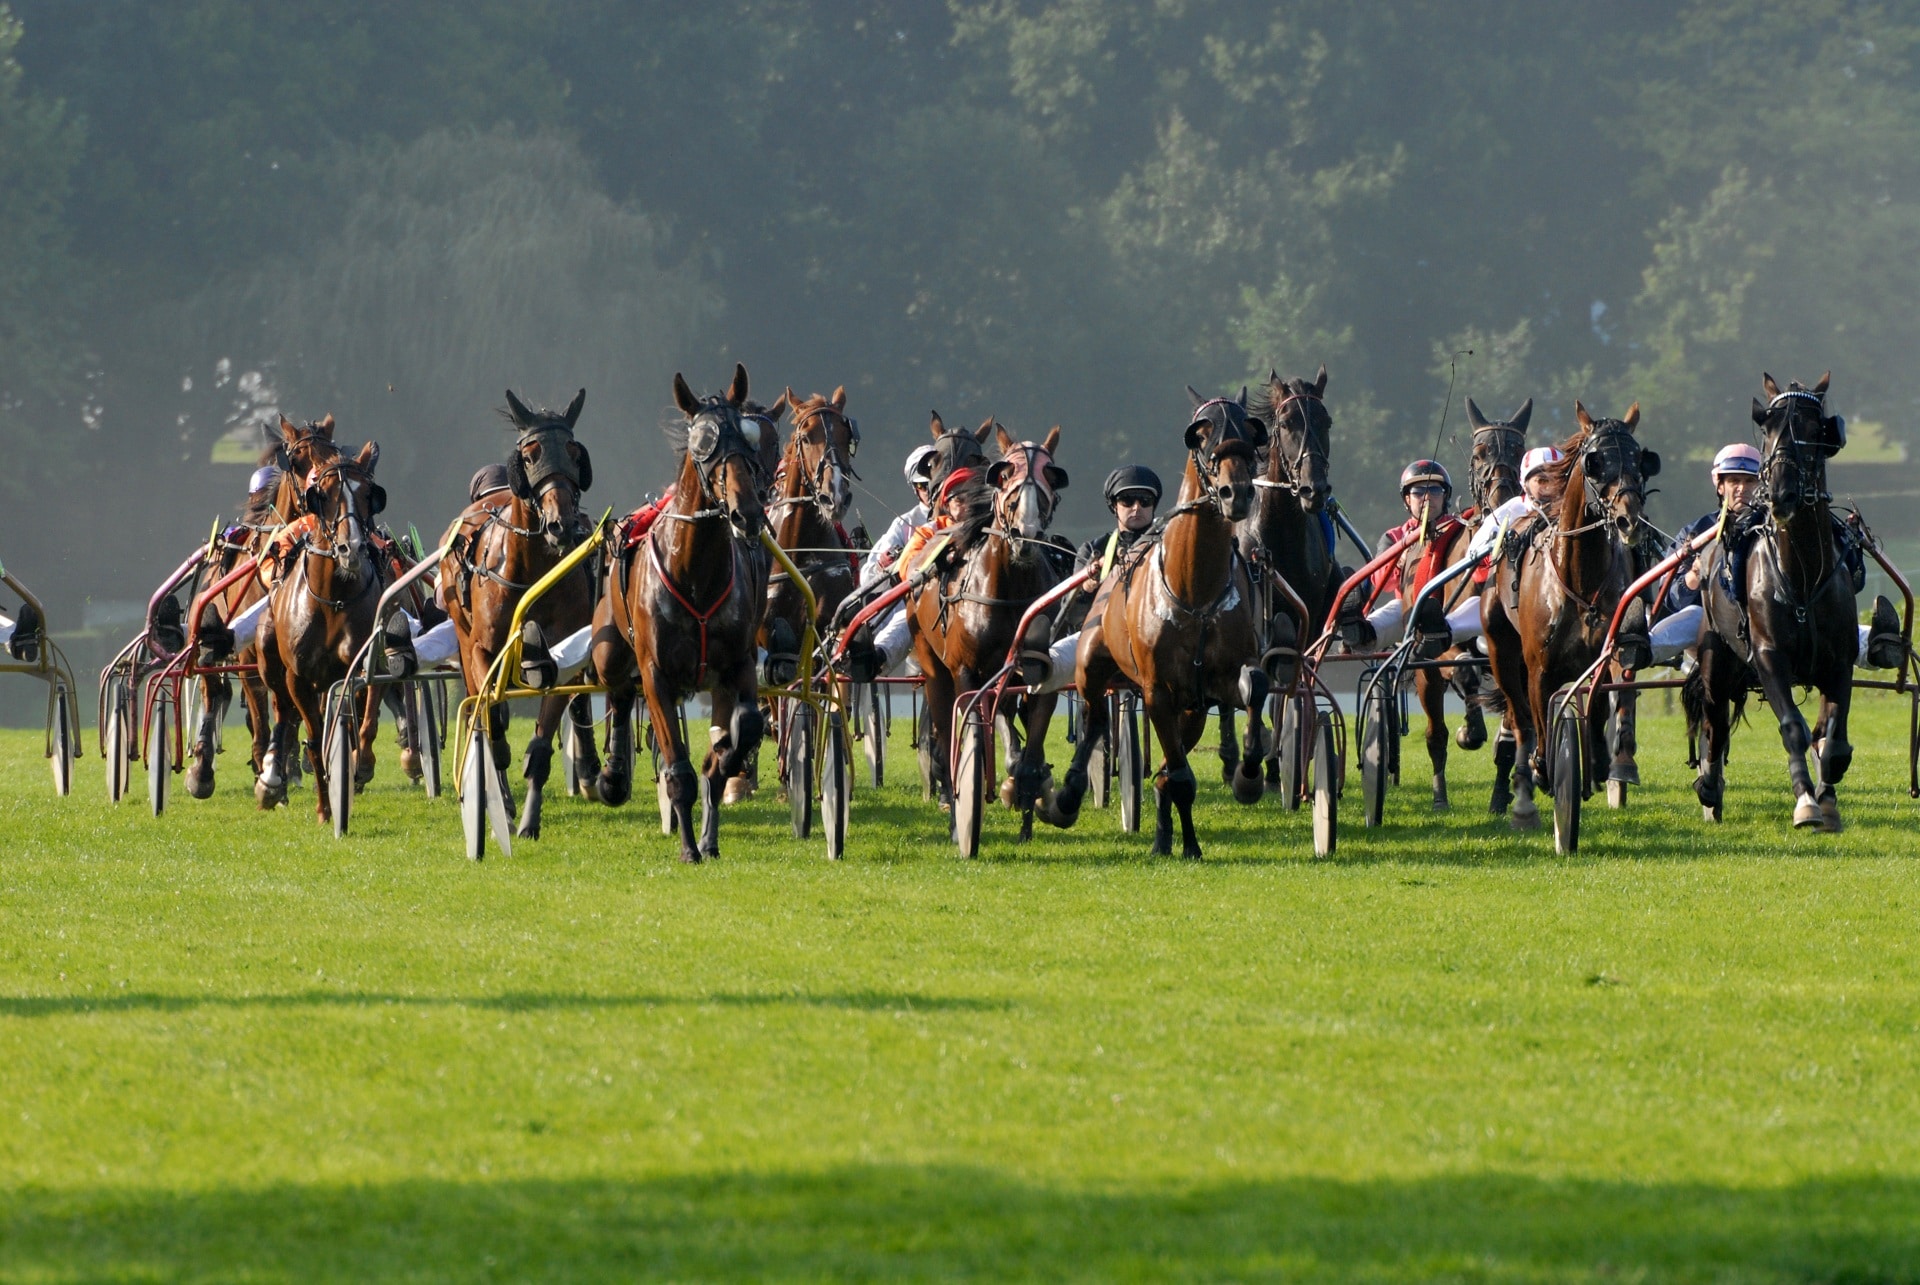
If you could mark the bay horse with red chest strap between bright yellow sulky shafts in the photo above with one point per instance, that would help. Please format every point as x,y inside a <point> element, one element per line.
<point>683,612</point>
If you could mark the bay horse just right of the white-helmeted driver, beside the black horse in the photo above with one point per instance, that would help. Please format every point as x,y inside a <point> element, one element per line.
<point>1564,594</point>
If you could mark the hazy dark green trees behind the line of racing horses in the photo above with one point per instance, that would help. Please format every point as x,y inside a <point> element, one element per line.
<point>1053,212</point>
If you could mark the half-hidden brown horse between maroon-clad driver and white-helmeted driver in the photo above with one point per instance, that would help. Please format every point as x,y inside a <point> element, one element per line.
<point>1497,479</point>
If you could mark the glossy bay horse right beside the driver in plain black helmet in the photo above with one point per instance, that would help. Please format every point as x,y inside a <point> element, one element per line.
<point>1180,621</point>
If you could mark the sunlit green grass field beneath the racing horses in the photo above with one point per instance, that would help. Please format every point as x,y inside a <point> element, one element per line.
<point>233,1048</point>
